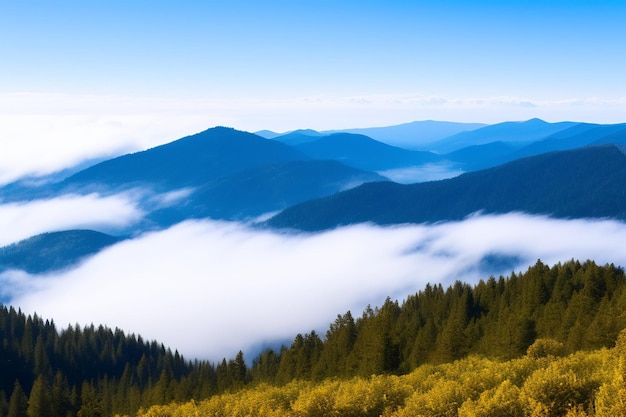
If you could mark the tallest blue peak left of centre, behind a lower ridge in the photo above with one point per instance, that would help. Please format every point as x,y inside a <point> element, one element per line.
<point>189,161</point>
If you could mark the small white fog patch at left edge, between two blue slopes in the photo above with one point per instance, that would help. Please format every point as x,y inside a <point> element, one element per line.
<point>25,219</point>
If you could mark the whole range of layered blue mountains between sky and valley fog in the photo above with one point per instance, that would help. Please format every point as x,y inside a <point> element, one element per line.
<point>318,180</point>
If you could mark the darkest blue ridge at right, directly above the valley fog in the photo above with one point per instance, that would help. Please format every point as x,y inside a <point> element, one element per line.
<point>582,183</point>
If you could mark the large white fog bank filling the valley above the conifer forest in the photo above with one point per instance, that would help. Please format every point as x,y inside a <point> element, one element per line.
<point>210,288</point>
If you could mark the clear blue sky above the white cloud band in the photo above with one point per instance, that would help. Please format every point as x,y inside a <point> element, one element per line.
<point>293,49</point>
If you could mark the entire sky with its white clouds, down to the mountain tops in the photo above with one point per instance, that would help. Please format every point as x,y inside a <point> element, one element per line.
<point>104,77</point>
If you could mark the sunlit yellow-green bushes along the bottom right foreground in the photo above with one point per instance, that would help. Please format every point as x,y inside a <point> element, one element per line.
<point>540,383</point>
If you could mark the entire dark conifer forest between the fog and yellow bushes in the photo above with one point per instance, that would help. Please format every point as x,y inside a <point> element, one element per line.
<point>97,371</point>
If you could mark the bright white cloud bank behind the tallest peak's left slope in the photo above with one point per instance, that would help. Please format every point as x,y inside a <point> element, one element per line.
<point>44,133</point>
